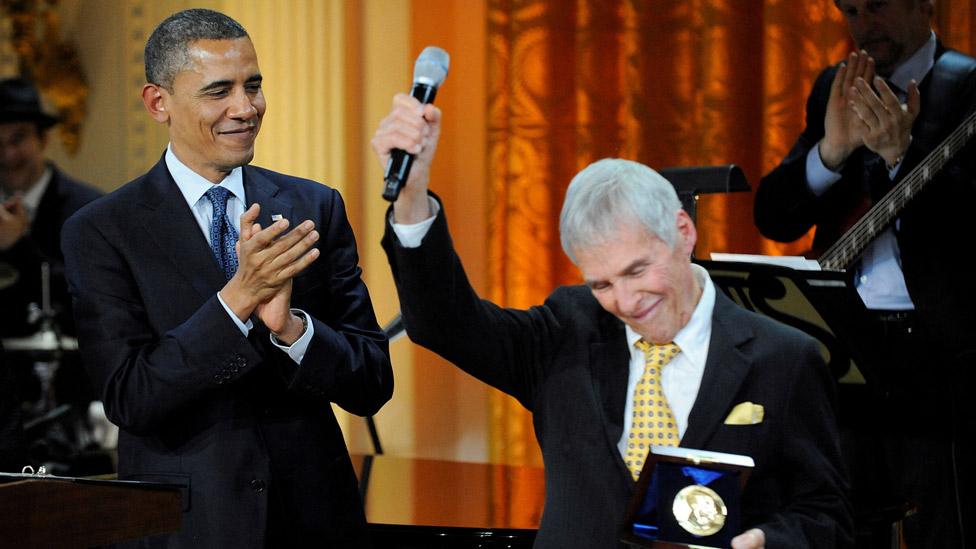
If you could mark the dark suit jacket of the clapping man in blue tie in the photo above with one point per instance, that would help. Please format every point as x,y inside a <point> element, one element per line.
<point>232,419</point>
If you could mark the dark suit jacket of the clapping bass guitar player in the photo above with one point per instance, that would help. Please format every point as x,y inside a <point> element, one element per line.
<point>934,228</point>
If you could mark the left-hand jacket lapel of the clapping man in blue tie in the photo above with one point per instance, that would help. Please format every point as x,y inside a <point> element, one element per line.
<point>174,232</point>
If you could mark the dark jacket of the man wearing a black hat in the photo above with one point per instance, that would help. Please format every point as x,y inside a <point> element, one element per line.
<point>63,197</point>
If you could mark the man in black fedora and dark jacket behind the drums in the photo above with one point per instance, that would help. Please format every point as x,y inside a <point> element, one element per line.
<point>35,200</point>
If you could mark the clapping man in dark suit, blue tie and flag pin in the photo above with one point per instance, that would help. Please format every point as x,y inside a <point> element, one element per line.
<point>219,365</point>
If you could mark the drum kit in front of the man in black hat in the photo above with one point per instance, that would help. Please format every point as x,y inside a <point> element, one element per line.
<point>60,435</point>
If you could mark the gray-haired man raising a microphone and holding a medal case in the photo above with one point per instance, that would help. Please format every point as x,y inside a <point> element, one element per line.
<point>580,361</point>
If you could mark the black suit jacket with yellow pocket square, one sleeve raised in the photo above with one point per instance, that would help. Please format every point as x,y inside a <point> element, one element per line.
<point>567,362</point>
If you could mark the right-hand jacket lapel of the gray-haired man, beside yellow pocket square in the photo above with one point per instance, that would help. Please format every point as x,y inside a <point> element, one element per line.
<point>725,369</point>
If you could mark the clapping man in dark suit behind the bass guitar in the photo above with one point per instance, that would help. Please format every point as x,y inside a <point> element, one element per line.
<point>870,122</point>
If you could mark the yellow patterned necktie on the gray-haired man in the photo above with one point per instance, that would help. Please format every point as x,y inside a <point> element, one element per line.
<point>652,422</point>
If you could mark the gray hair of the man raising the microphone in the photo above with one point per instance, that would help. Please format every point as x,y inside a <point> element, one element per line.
<point>610,193</point>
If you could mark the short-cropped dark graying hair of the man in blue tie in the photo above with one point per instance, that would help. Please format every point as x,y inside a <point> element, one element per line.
<point>167,50</point>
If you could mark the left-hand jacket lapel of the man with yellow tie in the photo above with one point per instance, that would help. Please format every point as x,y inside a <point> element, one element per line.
<point>610,360</point>
